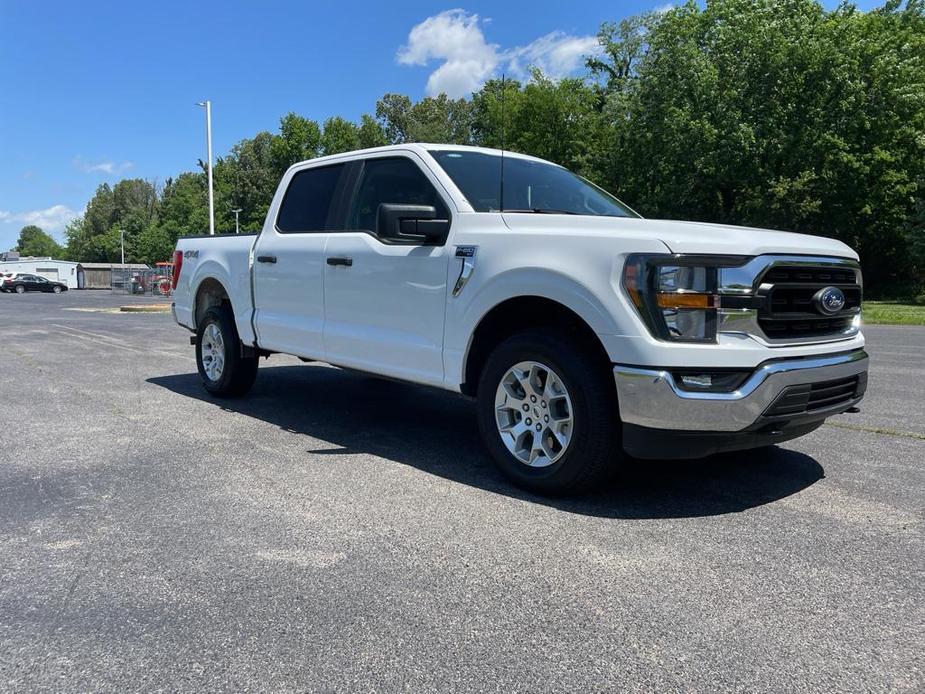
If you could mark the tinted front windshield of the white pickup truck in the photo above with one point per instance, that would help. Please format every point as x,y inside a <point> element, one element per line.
<point>529,186</point>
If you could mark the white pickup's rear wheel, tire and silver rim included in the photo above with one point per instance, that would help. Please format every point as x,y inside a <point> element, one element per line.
<point>224,371</point>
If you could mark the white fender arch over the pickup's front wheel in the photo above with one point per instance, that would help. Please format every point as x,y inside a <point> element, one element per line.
<point>520,313</point>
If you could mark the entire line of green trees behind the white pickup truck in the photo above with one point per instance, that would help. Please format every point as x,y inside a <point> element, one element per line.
<point>767,113</point>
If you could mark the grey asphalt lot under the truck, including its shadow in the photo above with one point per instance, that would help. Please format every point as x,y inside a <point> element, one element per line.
<point>336,532</point>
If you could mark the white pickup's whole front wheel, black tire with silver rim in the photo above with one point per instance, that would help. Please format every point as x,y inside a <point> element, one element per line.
<point>547,412</point>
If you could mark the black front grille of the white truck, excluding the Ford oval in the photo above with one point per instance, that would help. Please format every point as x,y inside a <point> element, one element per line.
<point>787,310</point>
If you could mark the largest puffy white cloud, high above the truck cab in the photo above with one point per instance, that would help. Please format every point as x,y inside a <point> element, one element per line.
<point>455,39</point>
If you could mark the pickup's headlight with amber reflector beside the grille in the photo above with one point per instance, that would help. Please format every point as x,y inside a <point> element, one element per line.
<point>676,295</point>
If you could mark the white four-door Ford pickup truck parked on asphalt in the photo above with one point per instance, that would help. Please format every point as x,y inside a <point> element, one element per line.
<point>583,331</point>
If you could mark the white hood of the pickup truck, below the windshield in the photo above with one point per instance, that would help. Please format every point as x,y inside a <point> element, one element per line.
<point>687,237</point>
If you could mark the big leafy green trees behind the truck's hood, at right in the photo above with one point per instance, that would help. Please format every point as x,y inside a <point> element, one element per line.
<point>774,114</point>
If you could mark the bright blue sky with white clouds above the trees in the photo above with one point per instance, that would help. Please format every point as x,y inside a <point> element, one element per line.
<point>97,91</point>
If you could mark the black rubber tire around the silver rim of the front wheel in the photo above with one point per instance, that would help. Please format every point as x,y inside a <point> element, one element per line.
<point>593,452</point>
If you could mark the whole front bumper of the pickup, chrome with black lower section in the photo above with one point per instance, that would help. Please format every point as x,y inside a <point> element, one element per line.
<point>653,405</point>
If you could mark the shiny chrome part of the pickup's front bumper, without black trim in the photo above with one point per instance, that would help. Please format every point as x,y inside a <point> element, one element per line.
<point>651,397</point>
